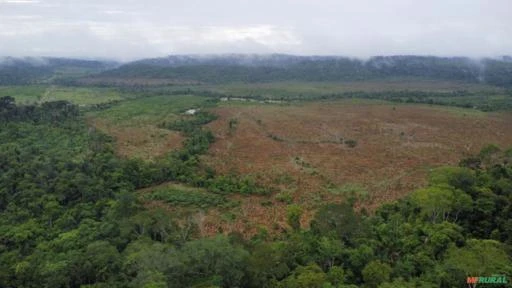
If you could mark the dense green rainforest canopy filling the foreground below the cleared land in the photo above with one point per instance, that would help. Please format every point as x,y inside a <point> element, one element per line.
<point>69,217</point>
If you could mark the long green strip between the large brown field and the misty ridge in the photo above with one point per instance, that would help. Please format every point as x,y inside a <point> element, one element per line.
<point>400,90</point>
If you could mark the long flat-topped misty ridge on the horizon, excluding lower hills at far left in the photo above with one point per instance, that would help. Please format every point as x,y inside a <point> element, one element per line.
<point>281,67</point>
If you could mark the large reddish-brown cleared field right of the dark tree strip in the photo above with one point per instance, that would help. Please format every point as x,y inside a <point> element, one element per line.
<point>304,152</point>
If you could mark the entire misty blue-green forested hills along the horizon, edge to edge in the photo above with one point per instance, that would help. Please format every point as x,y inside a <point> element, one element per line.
<point>253,68</point>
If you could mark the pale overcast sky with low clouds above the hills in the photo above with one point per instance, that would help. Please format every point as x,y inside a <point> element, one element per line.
<point>127,29</point>
